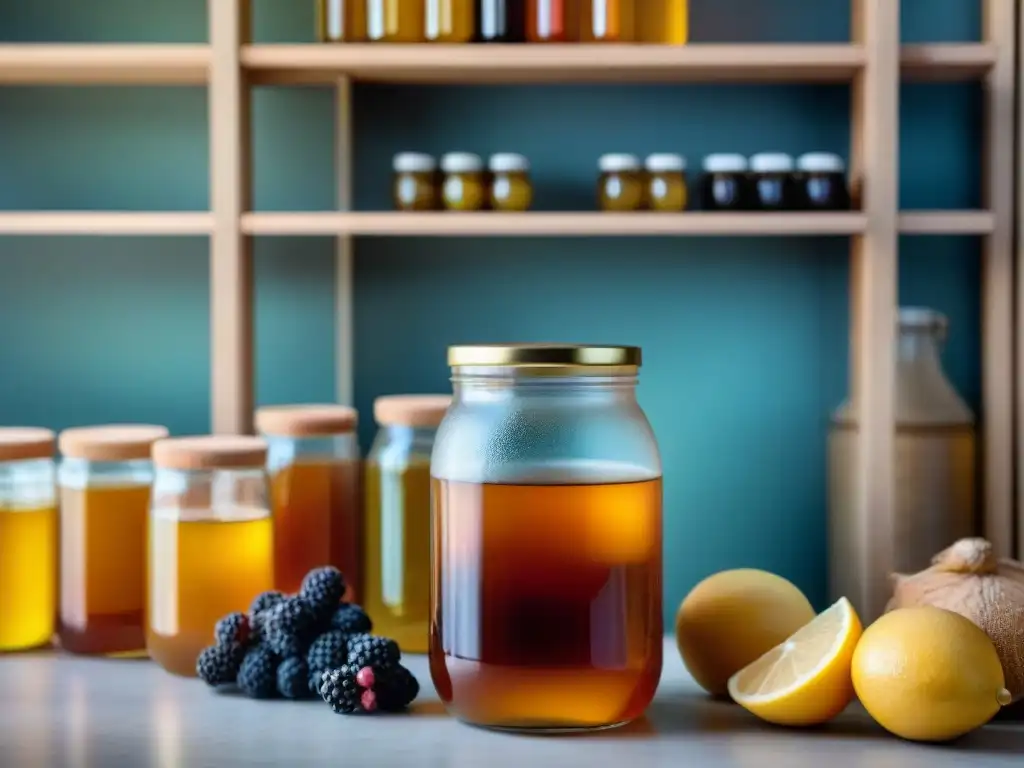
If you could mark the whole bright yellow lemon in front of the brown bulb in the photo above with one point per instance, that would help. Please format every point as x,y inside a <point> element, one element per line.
<point>928,674</point>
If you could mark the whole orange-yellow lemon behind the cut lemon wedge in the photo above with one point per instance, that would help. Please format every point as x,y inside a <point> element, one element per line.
<point>734,618</point>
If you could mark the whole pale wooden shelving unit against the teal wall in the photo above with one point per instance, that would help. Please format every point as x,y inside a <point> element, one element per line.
<point>874,63</point>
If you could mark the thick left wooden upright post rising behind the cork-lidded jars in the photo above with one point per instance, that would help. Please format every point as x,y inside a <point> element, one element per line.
<point>231,255</point>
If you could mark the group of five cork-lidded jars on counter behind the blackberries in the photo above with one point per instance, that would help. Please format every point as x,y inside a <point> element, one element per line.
<point>209,523</point>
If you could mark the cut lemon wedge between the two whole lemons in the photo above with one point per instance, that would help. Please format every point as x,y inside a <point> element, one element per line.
<point>805,680</point>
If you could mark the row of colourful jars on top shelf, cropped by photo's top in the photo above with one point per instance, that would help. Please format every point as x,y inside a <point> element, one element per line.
<point>664,22</point>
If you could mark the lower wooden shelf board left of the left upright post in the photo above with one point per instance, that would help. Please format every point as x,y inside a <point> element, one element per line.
<point>105,223</point>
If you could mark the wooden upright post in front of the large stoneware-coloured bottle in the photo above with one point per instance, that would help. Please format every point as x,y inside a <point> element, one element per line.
<point>874,291</point>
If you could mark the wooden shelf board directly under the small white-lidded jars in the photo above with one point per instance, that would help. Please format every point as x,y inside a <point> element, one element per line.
<point>551,225</point>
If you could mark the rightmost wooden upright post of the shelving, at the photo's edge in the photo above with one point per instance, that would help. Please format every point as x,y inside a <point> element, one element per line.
<point>997,445</point>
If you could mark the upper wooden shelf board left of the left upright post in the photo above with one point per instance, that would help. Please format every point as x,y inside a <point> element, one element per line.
<point>104,65</point>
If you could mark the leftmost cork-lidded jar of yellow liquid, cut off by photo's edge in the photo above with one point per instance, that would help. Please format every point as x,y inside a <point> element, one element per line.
<point>28,538</point>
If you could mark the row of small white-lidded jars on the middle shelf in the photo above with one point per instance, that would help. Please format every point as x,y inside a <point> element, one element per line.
<point>769,182</point>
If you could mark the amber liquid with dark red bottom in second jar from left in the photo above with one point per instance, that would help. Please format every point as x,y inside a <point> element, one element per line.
<point>103,569</point>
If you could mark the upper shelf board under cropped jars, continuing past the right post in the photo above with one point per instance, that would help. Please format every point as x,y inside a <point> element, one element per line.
<point>572,64</point>
